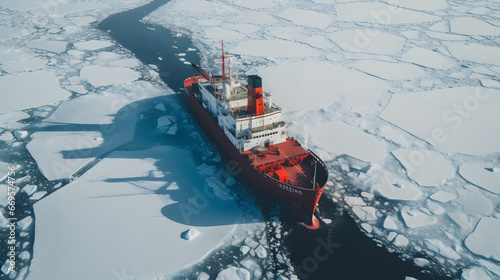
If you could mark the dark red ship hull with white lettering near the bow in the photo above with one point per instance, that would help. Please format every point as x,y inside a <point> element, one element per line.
<point>304,200</point>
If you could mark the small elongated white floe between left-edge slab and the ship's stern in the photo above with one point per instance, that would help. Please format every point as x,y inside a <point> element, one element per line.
<point>99,76</point>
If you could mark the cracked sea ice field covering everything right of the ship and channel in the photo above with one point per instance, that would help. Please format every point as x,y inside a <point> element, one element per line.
<point>405,91</point>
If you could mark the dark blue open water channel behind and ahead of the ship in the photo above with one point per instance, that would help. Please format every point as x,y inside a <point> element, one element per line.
<point>335,251</point>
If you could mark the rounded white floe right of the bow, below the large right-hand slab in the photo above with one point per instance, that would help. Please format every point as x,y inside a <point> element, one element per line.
<point>427,168</point>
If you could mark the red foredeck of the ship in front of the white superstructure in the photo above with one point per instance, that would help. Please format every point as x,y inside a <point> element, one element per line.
<point>299,174</point>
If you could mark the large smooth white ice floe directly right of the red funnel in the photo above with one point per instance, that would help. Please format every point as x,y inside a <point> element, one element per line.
<point>310,78</point>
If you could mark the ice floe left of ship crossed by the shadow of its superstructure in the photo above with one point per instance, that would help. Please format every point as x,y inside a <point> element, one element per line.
<point>73,137</point>
